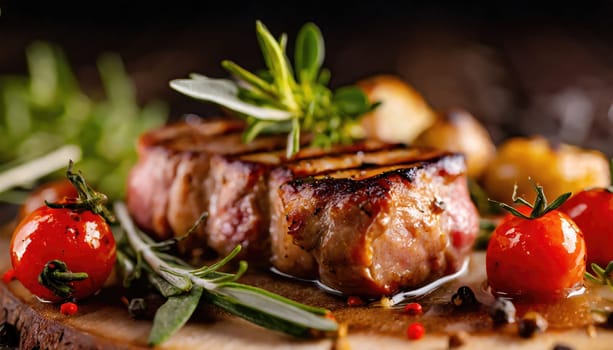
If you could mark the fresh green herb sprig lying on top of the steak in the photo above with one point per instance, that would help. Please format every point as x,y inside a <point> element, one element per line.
<point>285,99</point>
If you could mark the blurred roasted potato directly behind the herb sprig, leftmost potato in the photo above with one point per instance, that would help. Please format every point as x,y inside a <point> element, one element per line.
<point>403,114</point>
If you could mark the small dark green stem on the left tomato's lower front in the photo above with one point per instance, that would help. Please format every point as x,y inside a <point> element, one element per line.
<point>56,277</point>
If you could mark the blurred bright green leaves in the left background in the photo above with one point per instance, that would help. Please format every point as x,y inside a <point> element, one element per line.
<point>48,109</point>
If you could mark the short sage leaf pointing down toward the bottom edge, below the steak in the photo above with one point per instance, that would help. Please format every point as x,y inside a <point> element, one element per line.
<point>173,314</point>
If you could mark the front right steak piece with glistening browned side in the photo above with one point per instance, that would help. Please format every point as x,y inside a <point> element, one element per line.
<point>374,231</point>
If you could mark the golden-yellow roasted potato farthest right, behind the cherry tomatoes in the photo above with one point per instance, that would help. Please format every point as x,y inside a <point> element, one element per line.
<point>559,169</point>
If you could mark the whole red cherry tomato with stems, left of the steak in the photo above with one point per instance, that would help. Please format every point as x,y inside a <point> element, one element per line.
<point>65,250</point>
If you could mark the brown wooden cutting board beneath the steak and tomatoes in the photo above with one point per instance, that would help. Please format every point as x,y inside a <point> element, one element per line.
<point>103,322</point>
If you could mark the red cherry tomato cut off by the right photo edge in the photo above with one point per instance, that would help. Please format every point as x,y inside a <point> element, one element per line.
<point>592,211</point>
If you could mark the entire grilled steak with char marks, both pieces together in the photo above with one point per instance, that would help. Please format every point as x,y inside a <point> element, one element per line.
<point>364,219</point>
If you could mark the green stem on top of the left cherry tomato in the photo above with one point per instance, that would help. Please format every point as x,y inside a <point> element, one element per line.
<point>88,198</point>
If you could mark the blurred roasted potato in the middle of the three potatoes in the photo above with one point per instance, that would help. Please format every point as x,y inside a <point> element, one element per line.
<point>458,131</point>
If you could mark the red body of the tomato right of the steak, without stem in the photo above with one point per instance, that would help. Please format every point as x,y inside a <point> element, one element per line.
<point>538,259</point>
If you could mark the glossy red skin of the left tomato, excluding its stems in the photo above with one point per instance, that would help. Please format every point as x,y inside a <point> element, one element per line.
<point>81,239</point>
